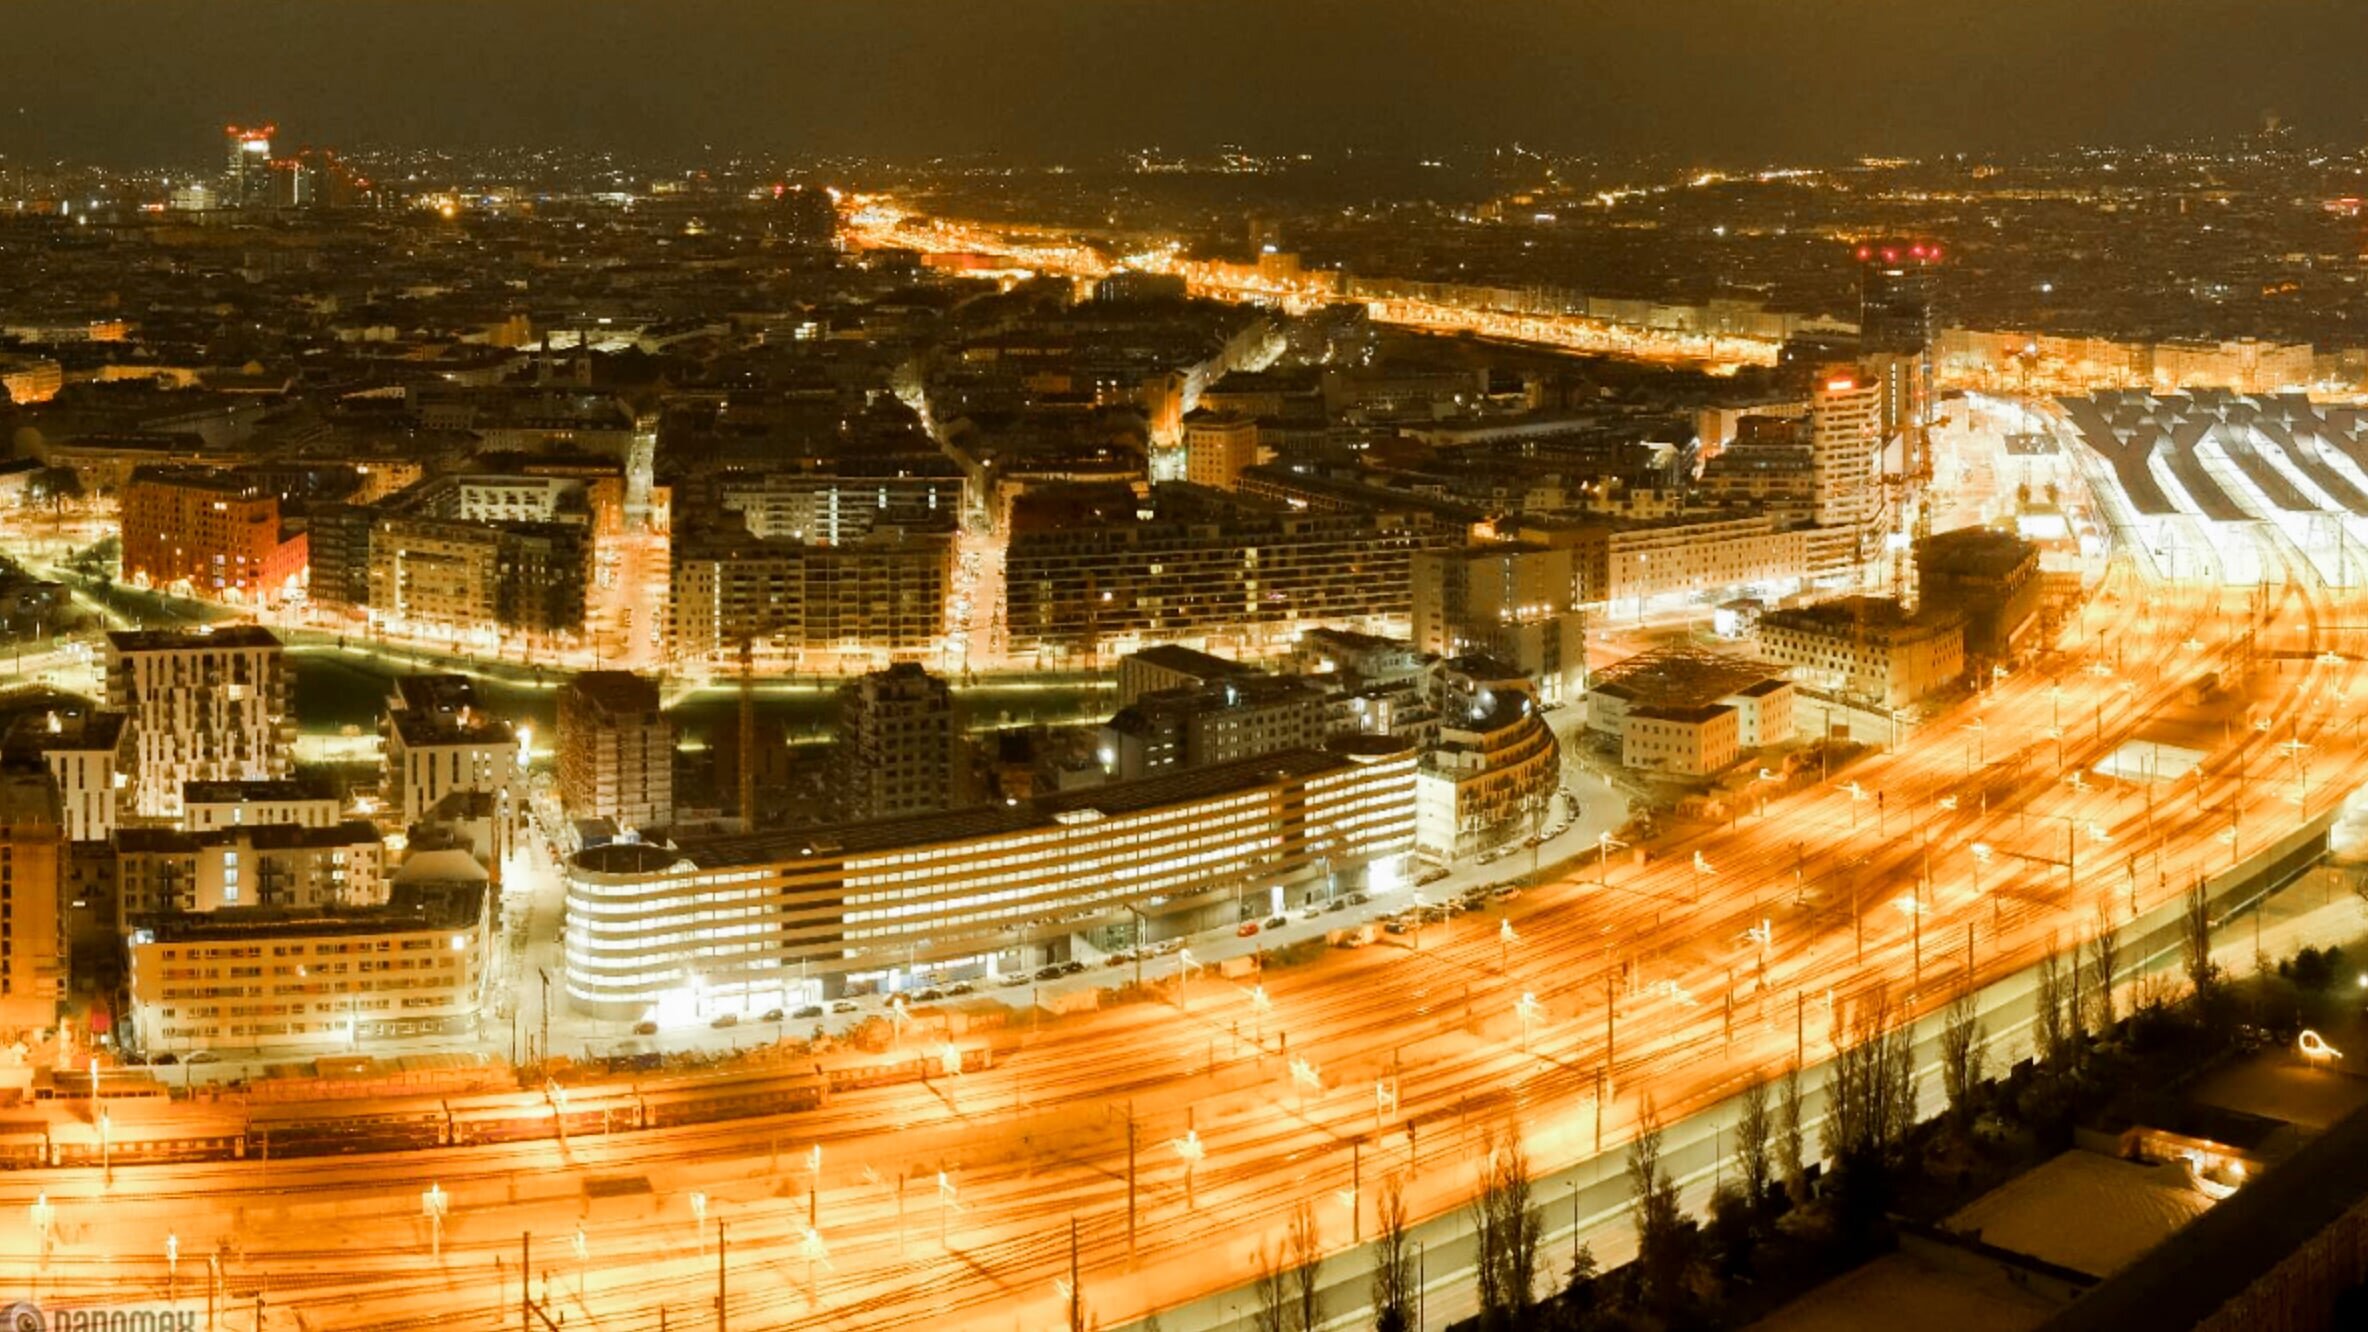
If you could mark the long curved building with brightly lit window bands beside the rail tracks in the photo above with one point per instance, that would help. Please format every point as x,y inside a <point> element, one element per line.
<point>752,923</point>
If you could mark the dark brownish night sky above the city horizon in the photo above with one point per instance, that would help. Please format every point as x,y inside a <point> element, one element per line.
<point>1055,79</point>
